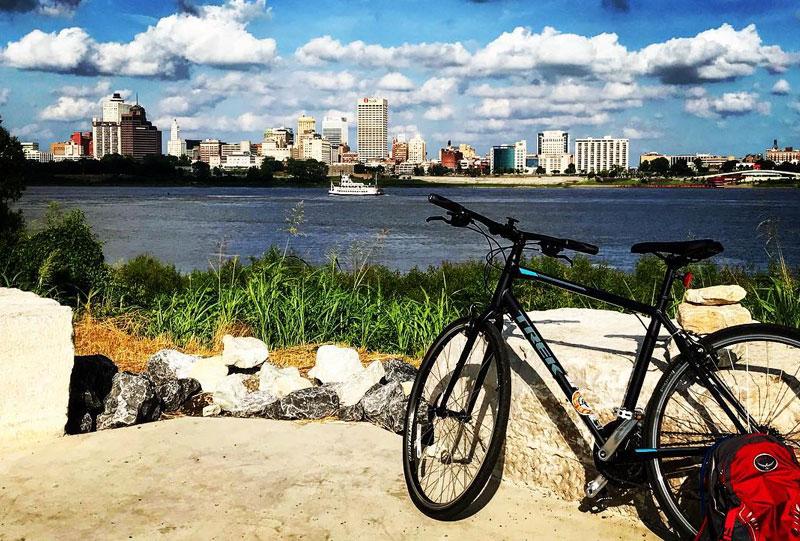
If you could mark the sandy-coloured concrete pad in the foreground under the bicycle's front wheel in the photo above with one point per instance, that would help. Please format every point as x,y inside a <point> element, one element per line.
<point>225,478</point>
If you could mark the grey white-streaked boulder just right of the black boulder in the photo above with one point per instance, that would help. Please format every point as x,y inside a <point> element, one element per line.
<point>132,400</point>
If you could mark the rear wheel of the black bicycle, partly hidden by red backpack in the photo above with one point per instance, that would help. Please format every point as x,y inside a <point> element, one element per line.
<point>758,365</point>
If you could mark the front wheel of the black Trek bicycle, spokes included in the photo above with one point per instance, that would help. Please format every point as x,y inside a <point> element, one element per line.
<point>450,449</point>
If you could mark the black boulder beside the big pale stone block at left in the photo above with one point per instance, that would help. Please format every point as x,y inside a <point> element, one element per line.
<point>89,385</point>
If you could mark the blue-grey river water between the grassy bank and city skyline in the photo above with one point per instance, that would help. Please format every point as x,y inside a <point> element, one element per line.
<point>191,226</point>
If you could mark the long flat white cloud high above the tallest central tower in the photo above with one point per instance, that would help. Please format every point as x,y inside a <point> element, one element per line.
<point>428,55</point>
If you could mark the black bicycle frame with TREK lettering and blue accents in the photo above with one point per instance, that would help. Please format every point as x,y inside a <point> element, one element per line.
<point>504,303</point>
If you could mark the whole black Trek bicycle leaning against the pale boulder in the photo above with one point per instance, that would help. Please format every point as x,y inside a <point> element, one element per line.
<point>738,380</point>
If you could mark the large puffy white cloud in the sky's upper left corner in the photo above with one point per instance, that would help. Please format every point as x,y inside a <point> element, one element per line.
<point>215,36</point>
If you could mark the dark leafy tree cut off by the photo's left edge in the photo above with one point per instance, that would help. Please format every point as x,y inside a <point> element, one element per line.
<point>13,168</point>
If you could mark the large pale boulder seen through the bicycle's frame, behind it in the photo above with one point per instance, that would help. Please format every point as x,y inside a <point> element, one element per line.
<point>547,444</point>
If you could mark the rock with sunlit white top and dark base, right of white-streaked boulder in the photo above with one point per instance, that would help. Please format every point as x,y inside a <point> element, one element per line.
<point>169,370</point>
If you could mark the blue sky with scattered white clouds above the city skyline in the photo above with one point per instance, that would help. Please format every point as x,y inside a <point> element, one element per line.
<point>715,76</point>
